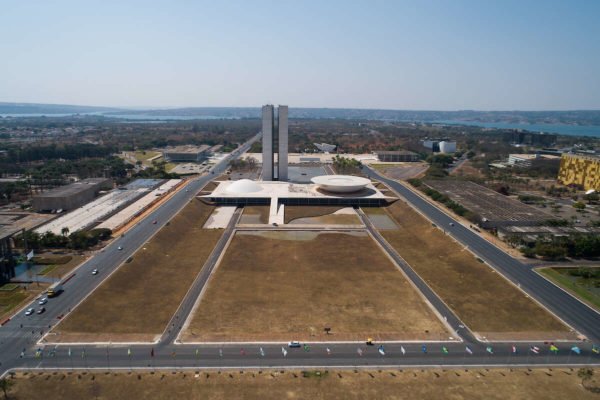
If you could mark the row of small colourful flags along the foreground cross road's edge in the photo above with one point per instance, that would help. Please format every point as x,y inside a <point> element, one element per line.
<point>489,349</point>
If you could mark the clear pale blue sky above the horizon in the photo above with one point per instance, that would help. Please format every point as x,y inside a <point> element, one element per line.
<point>442,55</point>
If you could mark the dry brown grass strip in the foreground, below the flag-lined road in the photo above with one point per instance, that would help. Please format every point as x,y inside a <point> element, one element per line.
<point>493,384</point>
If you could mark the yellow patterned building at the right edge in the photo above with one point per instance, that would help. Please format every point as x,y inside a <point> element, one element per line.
<point>576,169</point>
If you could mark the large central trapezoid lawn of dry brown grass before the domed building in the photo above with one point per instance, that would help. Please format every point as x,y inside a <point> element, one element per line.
<point>278,286</point>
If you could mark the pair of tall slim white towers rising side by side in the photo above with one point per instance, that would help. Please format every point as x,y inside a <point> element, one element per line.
<point>275,141</point>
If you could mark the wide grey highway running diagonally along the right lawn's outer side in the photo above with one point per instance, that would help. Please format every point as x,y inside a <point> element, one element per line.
<point>575,313</point>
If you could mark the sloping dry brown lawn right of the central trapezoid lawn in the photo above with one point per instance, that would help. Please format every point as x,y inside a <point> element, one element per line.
<point>485,301</point>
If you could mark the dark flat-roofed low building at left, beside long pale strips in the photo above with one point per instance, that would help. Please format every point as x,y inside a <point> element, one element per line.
<point>71,196</point>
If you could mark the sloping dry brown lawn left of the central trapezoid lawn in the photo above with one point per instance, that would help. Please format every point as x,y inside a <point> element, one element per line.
<point>139,299</point>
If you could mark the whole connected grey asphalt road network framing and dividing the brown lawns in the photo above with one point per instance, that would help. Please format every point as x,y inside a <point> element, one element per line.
<point>19,348</point>
